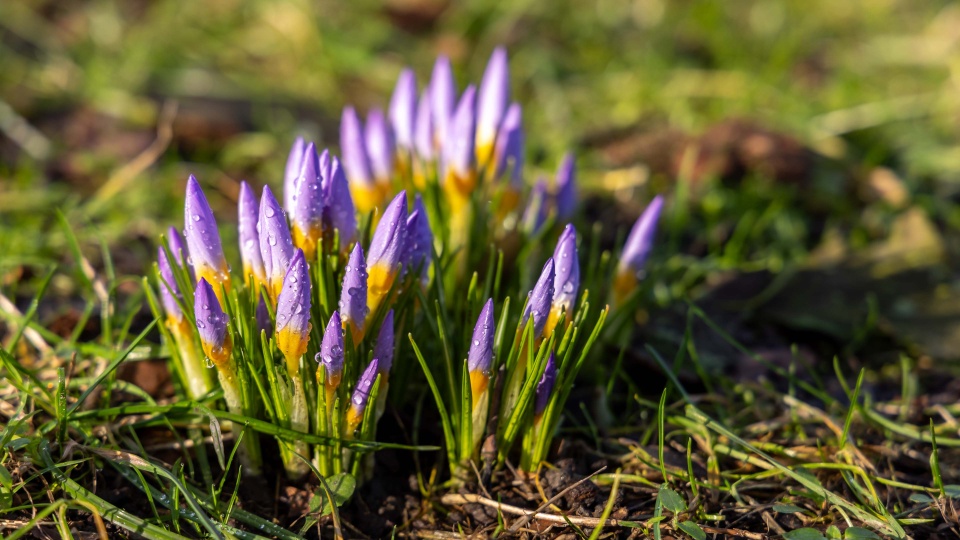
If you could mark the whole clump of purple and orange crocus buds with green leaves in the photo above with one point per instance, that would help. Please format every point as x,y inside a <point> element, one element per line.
<point>451,292</point>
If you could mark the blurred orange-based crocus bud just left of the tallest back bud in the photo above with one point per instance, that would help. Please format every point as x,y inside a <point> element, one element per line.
<point>458,149</point>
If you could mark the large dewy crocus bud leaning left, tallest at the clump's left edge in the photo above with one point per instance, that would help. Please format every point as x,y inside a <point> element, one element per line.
<point>203,239</point>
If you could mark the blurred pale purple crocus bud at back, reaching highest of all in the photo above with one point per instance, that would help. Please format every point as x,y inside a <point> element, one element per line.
<point>494,94</point>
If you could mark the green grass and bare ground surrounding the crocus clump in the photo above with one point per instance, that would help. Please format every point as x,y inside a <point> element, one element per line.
<point>757,412</point>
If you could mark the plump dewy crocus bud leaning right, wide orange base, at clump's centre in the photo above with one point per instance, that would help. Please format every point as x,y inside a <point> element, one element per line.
<point>386,251</point>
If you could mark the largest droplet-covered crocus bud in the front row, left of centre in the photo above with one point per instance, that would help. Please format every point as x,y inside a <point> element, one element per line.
<point>293,313</point>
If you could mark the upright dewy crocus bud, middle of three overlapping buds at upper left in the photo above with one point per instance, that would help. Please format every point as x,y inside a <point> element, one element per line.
<point>308,205</point>
